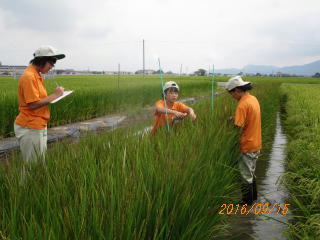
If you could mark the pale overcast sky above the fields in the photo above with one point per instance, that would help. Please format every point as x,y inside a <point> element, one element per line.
<point>183,34</point>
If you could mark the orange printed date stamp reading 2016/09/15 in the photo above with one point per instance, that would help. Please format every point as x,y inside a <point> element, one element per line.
<point>256,208</point>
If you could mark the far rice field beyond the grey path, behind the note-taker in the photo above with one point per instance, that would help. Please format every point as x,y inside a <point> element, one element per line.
<point>95,96</point>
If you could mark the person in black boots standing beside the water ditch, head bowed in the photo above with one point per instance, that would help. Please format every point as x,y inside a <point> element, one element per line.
<point>247,118</point>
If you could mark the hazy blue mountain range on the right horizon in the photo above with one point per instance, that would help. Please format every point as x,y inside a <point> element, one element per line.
<point>307,69</point>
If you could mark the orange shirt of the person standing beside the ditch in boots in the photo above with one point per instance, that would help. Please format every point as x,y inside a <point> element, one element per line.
<point>248,117</point>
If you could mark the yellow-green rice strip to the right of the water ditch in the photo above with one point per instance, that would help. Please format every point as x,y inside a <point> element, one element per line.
<point>302,123</point>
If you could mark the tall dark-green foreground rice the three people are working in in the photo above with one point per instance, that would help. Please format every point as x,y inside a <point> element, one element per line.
<point>119,185</point>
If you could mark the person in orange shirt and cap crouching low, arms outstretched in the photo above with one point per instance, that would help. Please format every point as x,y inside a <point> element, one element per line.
<point>170,110</point>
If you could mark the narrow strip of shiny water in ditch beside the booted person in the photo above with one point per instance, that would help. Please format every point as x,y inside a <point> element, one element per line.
<point>271,194</point>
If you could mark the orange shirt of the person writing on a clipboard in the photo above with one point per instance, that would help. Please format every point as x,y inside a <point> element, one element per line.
<point>31,89</point>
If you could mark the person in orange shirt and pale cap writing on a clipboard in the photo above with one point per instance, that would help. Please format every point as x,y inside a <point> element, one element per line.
<point>30,126</point>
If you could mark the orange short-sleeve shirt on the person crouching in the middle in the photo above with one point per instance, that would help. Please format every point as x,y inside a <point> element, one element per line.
<point>160,118</point>
